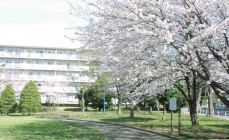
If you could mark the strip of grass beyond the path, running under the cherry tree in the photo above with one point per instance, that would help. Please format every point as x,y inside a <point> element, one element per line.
<point>209,127</point>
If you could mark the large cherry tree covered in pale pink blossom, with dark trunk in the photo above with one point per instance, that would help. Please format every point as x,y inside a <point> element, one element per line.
<point>159,41</point>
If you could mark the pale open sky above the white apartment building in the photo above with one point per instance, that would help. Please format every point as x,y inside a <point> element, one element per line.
<point>36,23</point>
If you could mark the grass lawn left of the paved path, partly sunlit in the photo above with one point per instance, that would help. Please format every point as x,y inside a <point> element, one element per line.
<point>18,127</point>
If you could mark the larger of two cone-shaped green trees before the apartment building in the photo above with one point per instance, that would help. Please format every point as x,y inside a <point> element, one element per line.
<point>30,100</point>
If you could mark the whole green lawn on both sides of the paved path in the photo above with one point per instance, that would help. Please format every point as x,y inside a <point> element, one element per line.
<point>40,126</point>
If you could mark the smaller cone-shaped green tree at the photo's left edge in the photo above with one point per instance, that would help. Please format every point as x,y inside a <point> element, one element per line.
<point>8,100</point>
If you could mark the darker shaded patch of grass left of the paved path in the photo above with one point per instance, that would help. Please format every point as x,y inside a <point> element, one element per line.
<point>53,130</point>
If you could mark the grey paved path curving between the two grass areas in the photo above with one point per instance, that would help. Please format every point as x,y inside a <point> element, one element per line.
<point>118,132</point>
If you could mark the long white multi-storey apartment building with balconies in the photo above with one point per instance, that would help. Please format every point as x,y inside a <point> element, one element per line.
<point>58,72</point>
